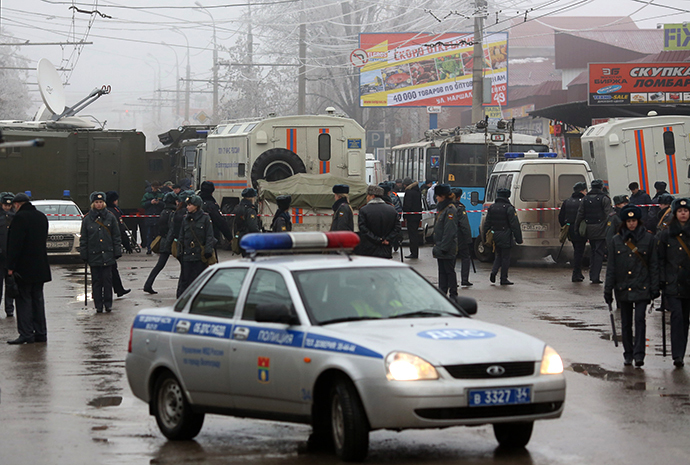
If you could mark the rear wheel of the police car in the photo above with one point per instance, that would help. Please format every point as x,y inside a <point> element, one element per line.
<point>173,413</point>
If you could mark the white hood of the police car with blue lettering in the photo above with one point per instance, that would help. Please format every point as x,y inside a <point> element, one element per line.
<point>442,341</point>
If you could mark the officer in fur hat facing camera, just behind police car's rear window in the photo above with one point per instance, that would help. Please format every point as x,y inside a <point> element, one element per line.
<point>196,242</point>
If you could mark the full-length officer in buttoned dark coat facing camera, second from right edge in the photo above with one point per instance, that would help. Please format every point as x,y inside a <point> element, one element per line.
<point>632,272</point>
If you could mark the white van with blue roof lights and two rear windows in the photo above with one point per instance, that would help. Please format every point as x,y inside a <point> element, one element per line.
<point>535,180</point>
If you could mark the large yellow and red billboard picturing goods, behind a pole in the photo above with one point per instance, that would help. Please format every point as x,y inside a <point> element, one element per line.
<point>415,69</point>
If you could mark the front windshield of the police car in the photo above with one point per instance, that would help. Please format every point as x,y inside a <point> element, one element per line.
<point>369,293</point>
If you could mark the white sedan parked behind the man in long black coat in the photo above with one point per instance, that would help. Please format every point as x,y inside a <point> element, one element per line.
<point>64,225</point>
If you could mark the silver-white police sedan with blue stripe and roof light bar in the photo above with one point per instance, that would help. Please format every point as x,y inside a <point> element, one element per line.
<point>346,344</point>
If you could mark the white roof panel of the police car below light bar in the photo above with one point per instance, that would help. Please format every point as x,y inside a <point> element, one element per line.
<point>299,262</point>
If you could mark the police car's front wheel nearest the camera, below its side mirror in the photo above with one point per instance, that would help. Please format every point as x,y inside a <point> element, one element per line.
<point>349,424</point>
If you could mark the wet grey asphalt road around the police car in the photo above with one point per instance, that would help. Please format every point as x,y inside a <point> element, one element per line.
<point>68,401</point>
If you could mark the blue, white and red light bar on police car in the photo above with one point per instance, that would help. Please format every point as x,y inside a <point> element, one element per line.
<point>256,242</point>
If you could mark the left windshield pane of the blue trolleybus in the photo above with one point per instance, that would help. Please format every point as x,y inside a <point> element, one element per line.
<point>466,165</point>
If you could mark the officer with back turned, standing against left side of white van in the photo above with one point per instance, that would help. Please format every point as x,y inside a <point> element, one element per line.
<point>503,221</point>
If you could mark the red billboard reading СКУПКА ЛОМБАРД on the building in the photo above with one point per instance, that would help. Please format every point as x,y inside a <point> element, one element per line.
<point>638,83</point>
